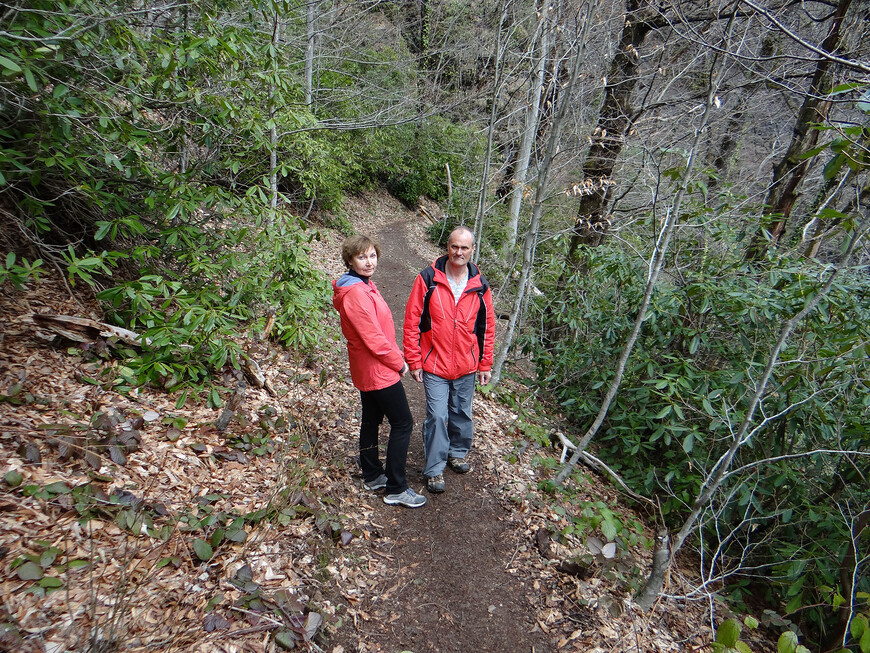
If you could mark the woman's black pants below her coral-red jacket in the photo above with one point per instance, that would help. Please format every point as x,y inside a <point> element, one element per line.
<point>392,403</point>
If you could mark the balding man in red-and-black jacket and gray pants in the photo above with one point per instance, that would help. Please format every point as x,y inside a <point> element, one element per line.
<point>449,333</point>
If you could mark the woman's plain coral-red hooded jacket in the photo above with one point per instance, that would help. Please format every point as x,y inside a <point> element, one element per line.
<point>375,358</point>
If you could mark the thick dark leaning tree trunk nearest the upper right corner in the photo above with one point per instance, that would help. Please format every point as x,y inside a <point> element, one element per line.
<point>791,170</point>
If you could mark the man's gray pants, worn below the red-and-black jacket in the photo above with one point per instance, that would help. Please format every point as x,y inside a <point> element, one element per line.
<point>447,430</point>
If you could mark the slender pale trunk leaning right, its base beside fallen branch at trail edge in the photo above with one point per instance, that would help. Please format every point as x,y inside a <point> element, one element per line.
<point>656,264</point>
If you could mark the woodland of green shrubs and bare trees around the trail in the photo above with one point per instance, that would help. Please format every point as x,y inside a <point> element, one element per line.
<point>670,197</point>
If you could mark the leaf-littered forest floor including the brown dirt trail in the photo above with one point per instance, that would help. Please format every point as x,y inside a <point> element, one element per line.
<point>262,537</point>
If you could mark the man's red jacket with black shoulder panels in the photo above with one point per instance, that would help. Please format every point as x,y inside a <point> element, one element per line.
<point>447,338</point>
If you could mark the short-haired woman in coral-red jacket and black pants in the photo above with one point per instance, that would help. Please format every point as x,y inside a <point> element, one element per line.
<point>376,368</point>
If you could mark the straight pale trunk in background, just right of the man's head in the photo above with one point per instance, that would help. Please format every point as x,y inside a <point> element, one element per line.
<point>530,129</point>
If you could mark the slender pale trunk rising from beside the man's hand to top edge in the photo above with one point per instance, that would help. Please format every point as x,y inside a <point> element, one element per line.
<point>531,239</point>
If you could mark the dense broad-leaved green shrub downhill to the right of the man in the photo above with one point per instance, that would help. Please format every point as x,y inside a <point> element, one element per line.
<point>702,347</point>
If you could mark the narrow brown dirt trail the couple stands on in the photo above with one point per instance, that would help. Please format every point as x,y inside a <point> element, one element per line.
<point>448,590</point>
